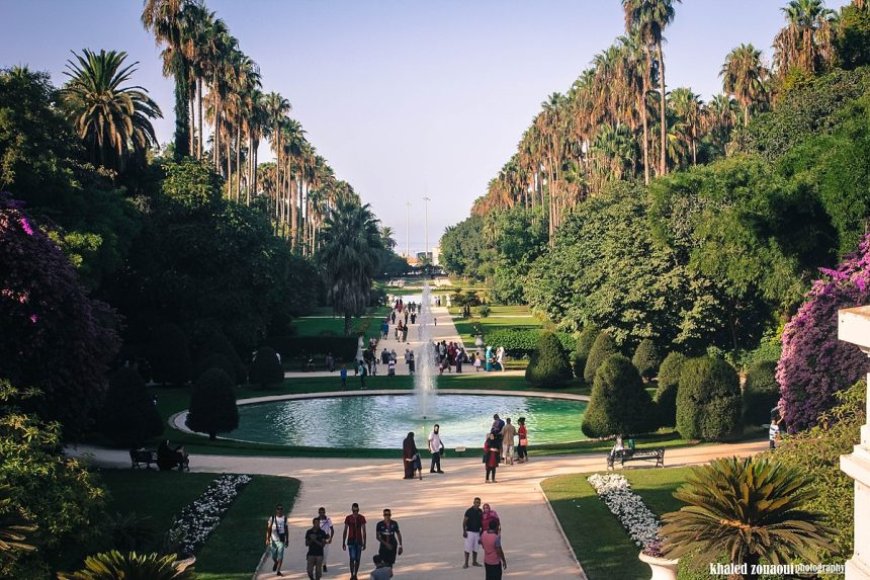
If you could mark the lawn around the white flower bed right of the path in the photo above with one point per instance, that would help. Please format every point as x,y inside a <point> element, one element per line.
<point>598,539</point>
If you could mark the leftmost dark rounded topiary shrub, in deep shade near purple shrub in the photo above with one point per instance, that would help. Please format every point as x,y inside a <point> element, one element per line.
<point>129,416</point>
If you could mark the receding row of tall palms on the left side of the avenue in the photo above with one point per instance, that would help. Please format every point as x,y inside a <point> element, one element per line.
<point>218,85</point>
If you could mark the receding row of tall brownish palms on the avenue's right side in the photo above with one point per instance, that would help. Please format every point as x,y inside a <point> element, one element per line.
<point>604,128</point>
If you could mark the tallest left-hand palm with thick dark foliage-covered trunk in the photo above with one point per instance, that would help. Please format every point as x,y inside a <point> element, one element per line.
<point>163,18</point>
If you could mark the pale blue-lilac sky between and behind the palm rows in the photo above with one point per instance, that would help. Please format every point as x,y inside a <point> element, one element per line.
<point>405,99</point>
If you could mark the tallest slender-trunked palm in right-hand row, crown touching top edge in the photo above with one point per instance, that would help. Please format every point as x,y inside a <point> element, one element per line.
<point>649,18</point>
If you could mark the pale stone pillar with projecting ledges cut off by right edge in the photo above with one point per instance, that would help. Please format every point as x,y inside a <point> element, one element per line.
<point>854,327</point>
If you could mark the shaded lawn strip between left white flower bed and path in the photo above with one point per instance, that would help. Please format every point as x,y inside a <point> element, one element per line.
<point>234,549</point>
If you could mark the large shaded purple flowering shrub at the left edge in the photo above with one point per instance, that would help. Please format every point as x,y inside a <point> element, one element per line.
<point>52,335</point>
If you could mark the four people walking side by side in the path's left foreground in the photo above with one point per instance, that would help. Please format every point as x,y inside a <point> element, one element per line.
<point>319,537</point>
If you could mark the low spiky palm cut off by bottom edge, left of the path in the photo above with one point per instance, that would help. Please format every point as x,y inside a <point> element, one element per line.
<point>114,564</point>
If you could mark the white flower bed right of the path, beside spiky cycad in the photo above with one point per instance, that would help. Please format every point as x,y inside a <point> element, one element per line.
<point>642,525</point>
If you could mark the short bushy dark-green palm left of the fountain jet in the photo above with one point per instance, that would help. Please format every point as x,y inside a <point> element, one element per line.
<point>348,257</point>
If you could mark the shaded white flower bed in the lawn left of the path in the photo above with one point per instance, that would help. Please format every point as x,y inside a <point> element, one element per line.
<point>200,518</point>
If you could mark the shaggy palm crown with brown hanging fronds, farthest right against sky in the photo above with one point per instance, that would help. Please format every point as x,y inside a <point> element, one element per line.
<point>806,41</point>
